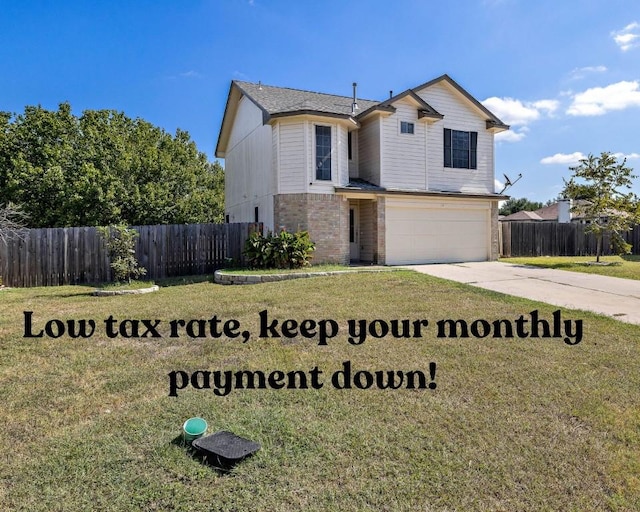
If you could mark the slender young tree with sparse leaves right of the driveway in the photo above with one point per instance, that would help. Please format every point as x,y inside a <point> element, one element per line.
<point>608,204</point>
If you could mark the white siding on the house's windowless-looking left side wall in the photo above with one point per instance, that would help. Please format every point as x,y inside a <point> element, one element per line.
<point>248,170</point>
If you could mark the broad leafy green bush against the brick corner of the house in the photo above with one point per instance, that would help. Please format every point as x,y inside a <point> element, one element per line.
<point>281,250</point>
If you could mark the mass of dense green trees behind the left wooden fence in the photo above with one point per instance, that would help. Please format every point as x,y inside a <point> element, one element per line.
<point>104,168</point>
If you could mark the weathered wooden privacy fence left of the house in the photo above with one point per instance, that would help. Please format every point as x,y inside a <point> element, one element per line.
<point>57,256</point>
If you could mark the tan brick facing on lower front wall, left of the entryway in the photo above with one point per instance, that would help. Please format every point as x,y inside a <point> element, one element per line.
<point>324,216</point>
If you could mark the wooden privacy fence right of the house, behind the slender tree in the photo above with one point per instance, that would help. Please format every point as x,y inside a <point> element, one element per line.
<point>555,239</point>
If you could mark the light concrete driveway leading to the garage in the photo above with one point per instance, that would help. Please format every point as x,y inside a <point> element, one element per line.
<point>611,296</point>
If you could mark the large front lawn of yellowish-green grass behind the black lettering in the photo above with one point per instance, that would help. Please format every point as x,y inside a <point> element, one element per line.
<point>514,424</point>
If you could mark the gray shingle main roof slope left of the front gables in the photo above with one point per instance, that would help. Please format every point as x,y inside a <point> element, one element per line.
<point>280,100</point>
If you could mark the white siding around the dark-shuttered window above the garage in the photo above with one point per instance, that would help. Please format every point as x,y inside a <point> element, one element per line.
<point>458,115</point>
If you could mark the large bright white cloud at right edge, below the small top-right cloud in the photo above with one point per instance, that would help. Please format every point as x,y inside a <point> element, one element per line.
<point>600,100</point>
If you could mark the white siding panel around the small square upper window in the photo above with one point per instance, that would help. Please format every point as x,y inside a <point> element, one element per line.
<point>404,154</point>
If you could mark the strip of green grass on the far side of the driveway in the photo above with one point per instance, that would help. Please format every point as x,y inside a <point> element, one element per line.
<point>627,267</point>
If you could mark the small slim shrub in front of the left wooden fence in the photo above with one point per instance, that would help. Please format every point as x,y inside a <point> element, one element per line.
<point>120,242</point>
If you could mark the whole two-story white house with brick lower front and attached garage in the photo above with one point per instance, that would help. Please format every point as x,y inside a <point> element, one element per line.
<point>405,180</point>
